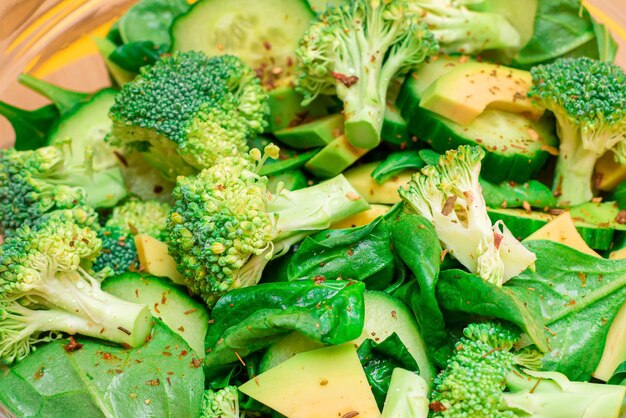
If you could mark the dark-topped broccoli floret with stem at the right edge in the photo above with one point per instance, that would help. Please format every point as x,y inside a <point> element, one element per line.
<point>587,97</point>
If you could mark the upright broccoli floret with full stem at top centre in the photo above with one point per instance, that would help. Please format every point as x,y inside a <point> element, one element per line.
<point>355,50</point>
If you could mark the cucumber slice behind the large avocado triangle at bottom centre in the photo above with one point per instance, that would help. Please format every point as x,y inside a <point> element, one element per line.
<point>384,315</point>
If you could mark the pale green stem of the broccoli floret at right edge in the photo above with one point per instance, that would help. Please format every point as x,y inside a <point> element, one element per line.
<point>574,170</point>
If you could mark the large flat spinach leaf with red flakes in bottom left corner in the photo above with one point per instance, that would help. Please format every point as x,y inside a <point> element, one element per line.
<point>162,378</point>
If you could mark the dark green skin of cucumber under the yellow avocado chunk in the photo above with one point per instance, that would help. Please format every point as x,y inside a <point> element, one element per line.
<point>427,125</point>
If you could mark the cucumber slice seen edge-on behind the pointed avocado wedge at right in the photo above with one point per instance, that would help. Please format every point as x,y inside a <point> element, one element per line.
<point>522,224</point>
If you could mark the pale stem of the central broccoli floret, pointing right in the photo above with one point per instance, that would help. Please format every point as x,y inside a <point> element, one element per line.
<point>316,207</point>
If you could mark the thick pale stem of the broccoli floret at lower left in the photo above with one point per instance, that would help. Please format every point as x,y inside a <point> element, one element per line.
<point>93,311</point>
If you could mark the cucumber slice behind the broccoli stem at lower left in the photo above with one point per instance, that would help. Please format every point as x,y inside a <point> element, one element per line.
<point>168,302</point>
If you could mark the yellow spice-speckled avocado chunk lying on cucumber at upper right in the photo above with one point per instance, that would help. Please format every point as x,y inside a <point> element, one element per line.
<point>467,90</point>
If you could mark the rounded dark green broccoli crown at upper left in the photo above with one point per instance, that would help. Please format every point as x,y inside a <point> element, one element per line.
<point>187,111</point>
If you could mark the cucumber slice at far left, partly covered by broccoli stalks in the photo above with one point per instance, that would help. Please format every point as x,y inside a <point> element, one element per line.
<point>87,124</point>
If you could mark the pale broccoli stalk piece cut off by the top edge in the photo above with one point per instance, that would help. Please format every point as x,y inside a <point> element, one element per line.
<point>466,27</point>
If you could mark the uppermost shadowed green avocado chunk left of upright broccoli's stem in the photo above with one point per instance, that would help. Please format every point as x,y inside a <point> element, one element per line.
<point>286,108</point>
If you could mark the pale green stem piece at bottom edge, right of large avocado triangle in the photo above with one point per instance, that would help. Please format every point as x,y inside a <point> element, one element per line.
<point>407,396</point>
